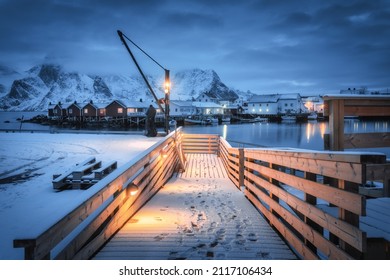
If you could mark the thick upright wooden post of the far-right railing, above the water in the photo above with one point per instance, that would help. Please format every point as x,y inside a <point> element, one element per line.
<point>336,124</point>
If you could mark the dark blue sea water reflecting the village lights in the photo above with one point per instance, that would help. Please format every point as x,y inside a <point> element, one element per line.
<point>307,135</point>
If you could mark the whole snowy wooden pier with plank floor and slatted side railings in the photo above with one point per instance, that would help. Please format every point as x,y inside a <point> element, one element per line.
<point>308,201</point>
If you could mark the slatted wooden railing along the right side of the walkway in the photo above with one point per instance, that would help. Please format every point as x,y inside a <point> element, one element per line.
<point>311,198</point>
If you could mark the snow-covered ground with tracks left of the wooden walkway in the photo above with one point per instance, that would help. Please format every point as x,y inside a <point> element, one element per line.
<point>28,161</point>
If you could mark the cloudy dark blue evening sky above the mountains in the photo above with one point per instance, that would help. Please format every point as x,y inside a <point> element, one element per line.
<point>265,46</point>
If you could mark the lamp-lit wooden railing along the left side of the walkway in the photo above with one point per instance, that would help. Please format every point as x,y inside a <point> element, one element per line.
<point>92,223</point>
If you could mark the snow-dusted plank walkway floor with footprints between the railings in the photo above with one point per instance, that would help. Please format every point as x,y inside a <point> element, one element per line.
<point>198,214</point>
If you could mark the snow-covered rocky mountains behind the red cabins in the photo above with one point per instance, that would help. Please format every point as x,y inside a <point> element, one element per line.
<point>34,89</point>
